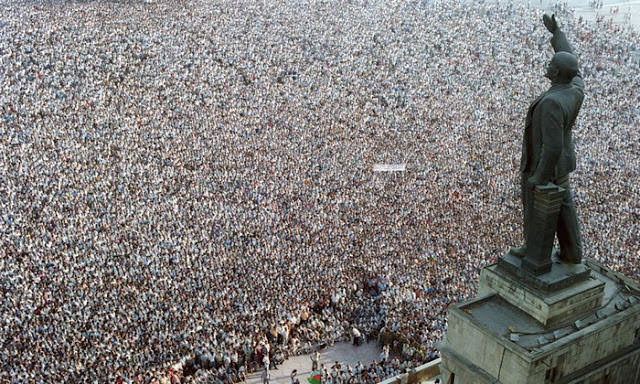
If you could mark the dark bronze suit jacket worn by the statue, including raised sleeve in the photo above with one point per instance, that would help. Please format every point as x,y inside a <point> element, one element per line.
<point>547,147</point>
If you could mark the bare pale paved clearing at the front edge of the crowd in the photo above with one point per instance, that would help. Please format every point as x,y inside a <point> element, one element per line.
<point>343,352</point>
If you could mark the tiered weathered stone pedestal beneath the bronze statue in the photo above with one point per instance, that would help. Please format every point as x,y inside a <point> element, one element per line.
<point>587,330</point>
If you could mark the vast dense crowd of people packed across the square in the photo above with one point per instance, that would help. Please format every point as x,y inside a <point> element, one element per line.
<point>182,176</point>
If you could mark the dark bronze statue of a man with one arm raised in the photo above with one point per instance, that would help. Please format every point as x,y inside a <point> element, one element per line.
<point>548,157</point>
